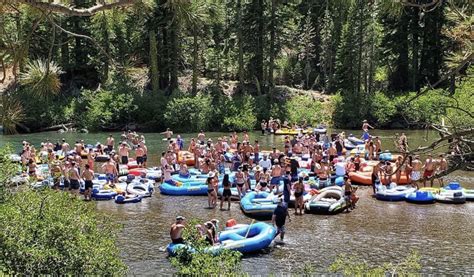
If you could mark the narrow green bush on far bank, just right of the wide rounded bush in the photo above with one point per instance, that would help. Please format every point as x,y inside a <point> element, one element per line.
<point>239,114</point>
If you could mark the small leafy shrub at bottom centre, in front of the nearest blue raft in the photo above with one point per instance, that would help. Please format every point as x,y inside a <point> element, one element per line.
<point>201,262</point>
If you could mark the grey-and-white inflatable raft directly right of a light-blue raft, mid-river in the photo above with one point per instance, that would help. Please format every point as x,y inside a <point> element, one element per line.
<point>330,200</point>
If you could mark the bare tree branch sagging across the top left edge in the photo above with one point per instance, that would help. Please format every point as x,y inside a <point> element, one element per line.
<point>71,11</point>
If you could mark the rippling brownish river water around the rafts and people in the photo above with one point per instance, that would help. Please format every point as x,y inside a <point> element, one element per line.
<point>375,231</point>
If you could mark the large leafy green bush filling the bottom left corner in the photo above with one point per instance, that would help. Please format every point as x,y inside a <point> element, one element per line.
<point>53,232</point>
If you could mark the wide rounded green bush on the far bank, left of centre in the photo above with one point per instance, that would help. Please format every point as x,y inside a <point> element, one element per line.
<point>188,113</point>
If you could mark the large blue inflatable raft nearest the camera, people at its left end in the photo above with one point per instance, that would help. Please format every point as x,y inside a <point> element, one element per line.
<point>245,239</point>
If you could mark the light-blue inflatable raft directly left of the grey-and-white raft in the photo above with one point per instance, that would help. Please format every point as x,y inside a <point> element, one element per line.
<point>260,205</point>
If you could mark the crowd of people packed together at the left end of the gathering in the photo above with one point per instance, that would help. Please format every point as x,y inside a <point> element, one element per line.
<point>70,165</point>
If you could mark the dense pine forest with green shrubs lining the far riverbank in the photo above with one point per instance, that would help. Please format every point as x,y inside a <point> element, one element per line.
<point>228,64</point>
